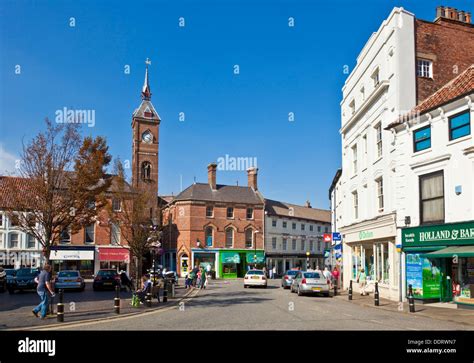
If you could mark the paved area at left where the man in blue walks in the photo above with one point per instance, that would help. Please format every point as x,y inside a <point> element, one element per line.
<point>15,310</point>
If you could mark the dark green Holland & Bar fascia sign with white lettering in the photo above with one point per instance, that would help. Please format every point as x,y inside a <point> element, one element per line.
<point>444,234</point>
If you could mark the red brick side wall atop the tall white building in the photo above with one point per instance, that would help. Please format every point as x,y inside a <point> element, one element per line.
<point>449,45</point>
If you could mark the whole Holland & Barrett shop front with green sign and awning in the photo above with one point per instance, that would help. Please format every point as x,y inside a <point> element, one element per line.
<point>440,262</point>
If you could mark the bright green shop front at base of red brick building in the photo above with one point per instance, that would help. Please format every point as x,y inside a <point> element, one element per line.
<point>235,263</point>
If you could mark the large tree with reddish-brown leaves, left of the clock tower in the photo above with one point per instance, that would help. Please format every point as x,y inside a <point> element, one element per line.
<point>66,183</point>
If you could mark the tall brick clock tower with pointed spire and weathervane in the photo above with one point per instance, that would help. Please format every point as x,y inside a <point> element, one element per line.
<point>145,126</point>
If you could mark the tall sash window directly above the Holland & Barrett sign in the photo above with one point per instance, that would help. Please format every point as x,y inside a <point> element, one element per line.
<point>432,198</point>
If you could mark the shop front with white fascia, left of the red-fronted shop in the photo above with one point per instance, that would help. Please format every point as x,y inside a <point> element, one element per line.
<point>79,258</point>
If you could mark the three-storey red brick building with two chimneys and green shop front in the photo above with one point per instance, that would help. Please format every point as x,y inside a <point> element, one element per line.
<point>220,225</point>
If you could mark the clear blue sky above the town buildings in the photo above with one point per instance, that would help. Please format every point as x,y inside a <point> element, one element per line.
<point>282,69</point>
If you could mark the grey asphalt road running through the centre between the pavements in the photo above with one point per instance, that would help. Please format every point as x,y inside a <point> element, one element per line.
<point>226,305</point>
